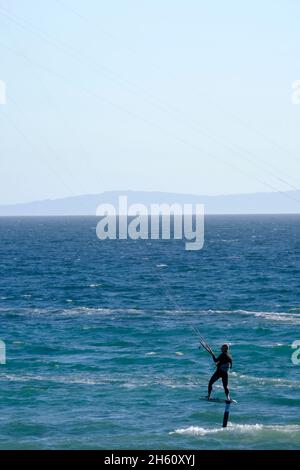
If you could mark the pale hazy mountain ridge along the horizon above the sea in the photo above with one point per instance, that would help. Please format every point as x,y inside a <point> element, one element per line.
<point>256,203</point>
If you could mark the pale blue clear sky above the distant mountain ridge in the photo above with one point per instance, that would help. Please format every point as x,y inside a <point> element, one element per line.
<point>190,97</point>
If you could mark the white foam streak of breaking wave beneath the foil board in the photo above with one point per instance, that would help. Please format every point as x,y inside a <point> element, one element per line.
<point>238,429</point>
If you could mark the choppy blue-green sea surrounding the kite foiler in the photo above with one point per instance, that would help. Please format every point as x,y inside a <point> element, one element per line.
<point>101,352</point>
